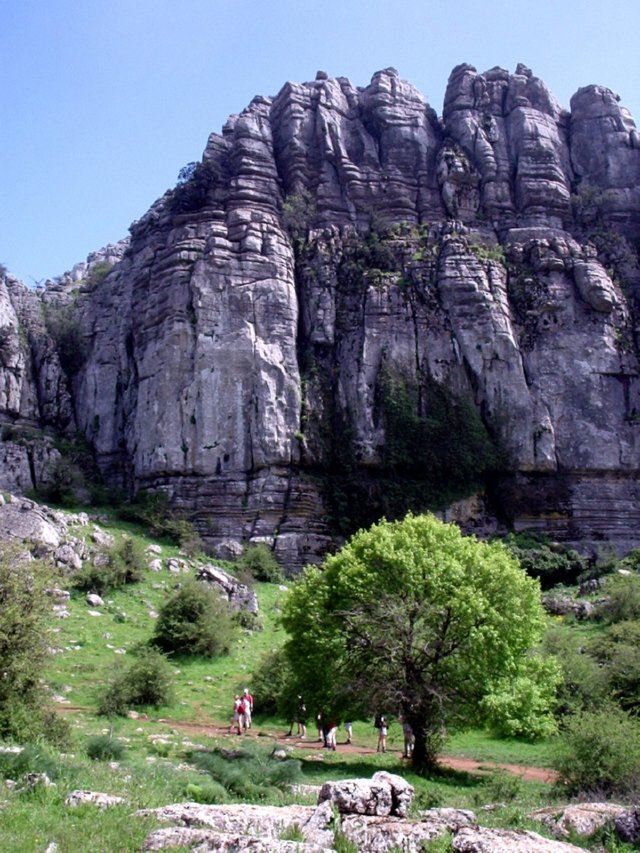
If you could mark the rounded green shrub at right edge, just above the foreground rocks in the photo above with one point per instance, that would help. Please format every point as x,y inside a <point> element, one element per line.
<point>600,754</point>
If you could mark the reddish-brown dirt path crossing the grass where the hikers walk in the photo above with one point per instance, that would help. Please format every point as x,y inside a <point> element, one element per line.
<point>468,765</point>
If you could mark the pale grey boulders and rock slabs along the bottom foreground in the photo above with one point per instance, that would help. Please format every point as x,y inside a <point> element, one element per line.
<point>372,815</point>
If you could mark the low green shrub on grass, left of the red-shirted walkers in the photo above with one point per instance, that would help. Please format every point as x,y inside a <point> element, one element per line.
<point>148,680</point>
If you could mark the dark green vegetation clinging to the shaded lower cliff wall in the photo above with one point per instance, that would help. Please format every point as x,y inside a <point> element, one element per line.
<point>436,450</point>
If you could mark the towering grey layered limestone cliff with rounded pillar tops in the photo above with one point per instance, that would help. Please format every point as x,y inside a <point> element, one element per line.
<point>332,239</point>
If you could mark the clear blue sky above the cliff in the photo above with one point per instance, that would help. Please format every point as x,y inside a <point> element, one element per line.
<point>103,101</point>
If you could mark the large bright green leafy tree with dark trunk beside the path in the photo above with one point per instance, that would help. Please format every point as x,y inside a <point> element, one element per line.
<point>411,617</point>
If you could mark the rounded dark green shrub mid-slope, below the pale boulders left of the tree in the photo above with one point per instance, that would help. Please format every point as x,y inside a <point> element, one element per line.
<point>194,621</point>
